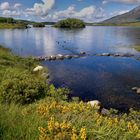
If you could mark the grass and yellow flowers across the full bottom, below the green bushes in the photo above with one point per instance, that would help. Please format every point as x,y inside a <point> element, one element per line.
<point>49,119</point>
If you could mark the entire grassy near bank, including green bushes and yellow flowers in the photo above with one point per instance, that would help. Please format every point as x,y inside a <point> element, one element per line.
<point>32,109</point>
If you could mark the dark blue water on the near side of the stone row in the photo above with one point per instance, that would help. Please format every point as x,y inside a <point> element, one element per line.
<point>109,80</point>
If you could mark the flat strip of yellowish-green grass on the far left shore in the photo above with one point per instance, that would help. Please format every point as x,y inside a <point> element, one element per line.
<point>12,26</point>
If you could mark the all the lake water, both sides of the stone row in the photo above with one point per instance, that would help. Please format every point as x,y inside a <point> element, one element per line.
<point>106,79</point>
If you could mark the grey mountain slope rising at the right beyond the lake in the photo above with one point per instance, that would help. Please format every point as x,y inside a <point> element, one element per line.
<point>131,16</point>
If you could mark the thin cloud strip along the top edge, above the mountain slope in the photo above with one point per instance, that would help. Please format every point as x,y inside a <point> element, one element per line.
<point>123,1</point>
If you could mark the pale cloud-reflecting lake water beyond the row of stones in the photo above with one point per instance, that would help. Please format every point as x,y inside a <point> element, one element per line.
<point>44,41</point>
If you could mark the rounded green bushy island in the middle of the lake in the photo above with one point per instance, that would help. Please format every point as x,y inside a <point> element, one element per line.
<point>70,23</point>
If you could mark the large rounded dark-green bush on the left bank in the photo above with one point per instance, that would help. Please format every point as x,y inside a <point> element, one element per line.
<point>21,87</point>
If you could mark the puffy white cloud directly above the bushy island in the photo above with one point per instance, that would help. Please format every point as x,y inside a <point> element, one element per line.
<point>88,14</point>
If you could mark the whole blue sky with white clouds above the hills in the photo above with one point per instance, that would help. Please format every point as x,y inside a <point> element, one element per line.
<point>55,10</point>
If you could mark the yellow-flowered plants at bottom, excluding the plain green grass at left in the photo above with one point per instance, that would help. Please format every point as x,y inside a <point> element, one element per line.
<point>80,121</point>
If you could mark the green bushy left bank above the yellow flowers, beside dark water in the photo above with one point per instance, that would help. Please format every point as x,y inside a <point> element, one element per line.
<point>18,83</point>
